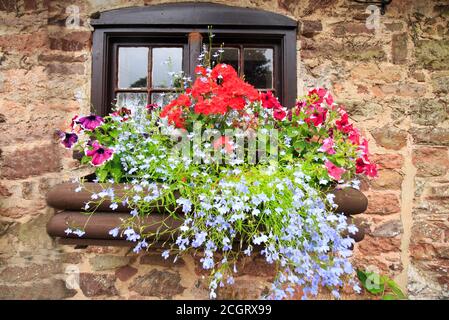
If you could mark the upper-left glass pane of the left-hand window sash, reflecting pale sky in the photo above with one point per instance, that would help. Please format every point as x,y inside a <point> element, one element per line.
<point>133,67</point>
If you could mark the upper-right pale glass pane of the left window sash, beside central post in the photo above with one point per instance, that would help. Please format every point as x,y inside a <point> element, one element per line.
<point>166,62</point>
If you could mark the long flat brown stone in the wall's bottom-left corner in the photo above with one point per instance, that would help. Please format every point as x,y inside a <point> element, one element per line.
<point>53,289</point>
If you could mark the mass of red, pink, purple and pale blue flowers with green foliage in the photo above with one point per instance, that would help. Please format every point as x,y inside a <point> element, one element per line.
<point>243,174</point>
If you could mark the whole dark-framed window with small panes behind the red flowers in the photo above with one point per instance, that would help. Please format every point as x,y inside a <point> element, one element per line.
<point>136,49</point>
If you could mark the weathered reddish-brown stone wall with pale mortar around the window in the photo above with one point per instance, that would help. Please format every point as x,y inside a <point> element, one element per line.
<point>394,81</point>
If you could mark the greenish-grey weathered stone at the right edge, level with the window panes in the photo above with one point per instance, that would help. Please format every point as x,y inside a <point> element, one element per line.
<point>433,54</point>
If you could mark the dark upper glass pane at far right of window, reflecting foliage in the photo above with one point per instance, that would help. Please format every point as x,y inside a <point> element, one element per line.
<point>259,67</point>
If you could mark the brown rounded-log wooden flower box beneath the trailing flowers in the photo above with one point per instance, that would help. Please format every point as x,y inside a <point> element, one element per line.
<point>69,205</point>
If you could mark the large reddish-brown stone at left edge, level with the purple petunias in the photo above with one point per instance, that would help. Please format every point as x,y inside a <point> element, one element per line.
<point>24,163</point>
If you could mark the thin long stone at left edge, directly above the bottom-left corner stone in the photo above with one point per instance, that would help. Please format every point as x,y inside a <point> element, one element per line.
<point>17,274</point>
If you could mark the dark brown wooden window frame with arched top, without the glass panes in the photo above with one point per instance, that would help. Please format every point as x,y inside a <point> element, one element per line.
<point>188,22</point>
